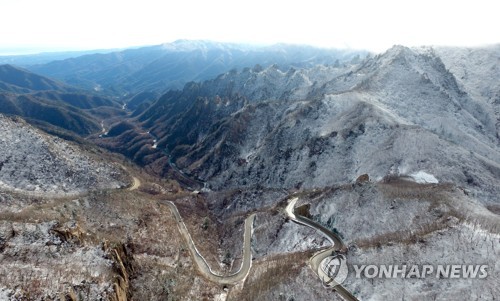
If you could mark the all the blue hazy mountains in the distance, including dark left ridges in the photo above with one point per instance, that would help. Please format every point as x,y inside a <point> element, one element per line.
<point>65,93</point>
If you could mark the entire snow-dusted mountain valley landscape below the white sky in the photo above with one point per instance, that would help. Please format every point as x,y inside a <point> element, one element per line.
<point>212,171</point>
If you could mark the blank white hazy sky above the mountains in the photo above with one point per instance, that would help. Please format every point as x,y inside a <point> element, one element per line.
<point>375,25</point>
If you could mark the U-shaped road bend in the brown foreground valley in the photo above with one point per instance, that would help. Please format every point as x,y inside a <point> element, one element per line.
<point>202,264</point>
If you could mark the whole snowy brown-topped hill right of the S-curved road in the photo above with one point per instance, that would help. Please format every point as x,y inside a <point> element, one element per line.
<point>412,224</point>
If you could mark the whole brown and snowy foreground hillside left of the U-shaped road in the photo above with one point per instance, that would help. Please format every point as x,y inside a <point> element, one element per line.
<point>67,232</point>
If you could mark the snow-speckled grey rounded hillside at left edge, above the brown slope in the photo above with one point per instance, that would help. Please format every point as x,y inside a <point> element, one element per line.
<point>31,161</point>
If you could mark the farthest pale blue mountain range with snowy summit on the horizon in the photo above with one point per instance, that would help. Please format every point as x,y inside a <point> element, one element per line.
<point>170,66</point>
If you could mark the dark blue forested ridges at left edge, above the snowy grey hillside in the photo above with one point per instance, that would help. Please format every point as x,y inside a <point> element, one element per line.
<point>53,103</point>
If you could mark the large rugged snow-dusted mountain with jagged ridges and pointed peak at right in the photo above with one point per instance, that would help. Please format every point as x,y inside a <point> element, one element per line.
<point>394,114</point>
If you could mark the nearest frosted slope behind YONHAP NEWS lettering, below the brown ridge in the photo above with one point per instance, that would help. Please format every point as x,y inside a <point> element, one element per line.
<point>461,245</point>
